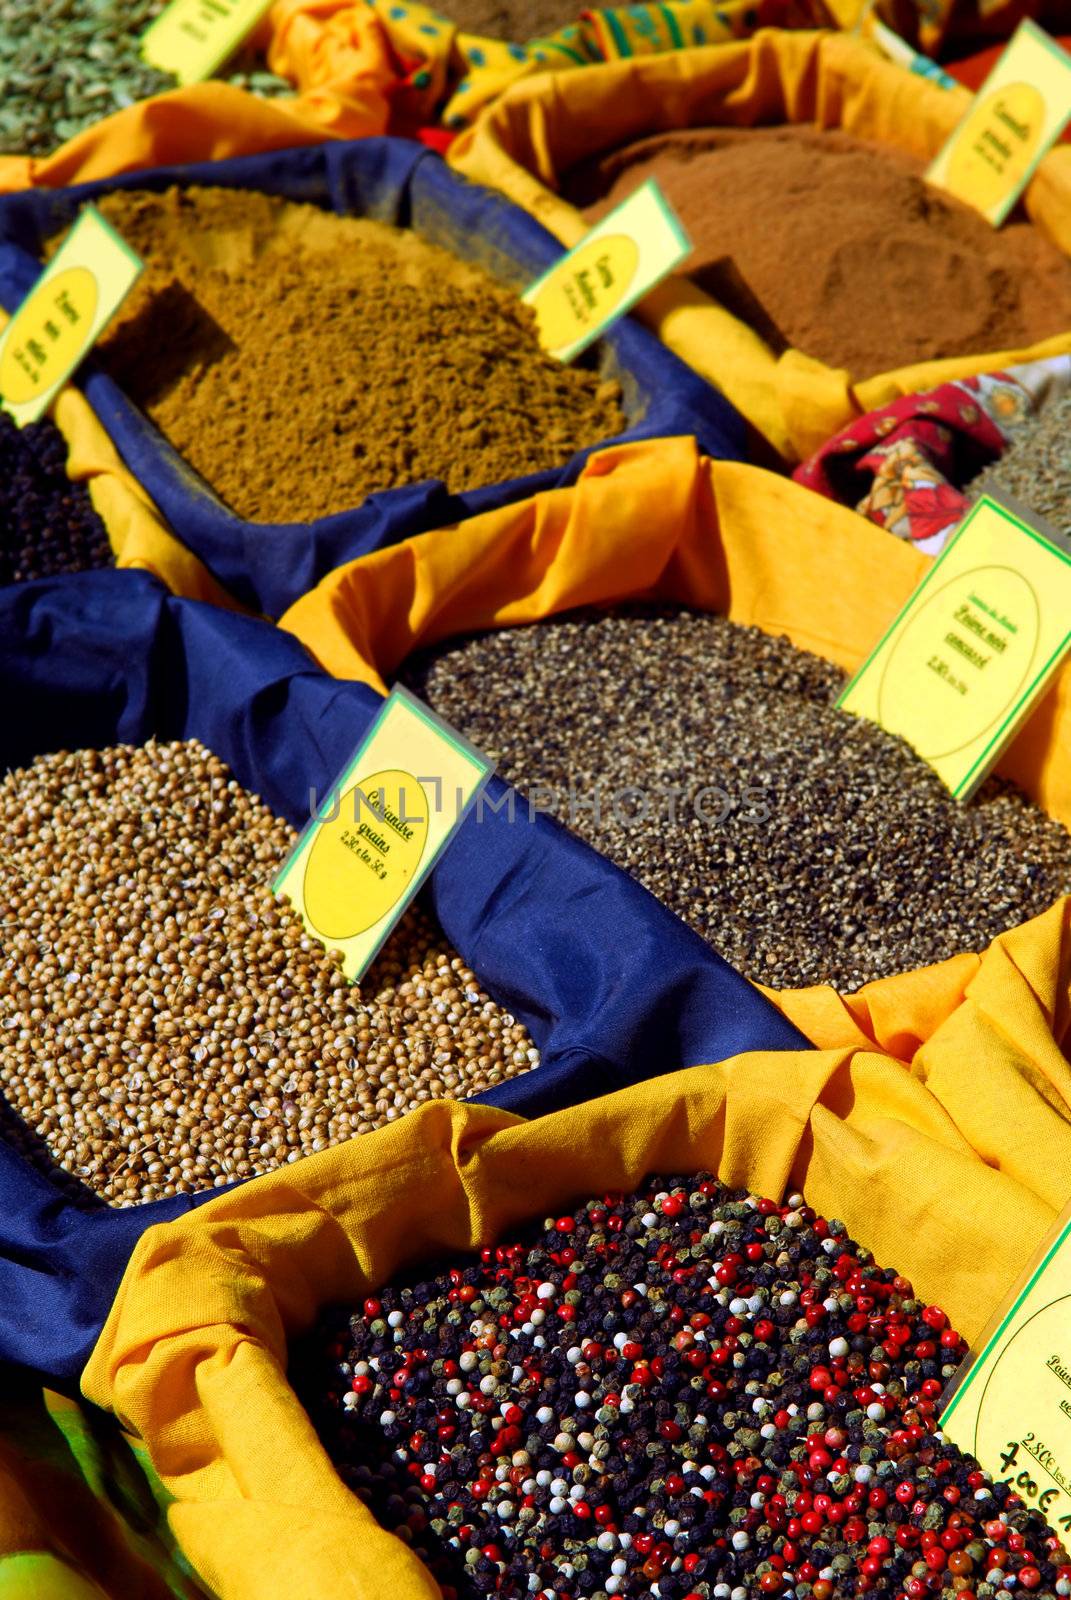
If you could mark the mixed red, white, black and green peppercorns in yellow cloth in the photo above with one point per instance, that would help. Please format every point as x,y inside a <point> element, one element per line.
<point>688,1393</point>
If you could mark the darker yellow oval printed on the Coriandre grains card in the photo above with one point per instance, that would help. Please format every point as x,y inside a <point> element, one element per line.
<point>366,857</point>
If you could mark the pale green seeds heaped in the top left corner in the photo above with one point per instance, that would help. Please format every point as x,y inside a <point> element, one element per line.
<point>68,63</point>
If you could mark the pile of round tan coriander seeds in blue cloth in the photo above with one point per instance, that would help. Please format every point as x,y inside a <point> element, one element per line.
<point>166,1023</point>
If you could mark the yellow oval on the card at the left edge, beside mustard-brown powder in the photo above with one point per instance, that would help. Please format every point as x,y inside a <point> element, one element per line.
<point>47,334</point>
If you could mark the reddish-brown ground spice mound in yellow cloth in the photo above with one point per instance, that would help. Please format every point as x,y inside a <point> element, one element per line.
<point>840,249</point>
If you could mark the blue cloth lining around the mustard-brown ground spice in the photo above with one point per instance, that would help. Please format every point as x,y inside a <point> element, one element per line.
<point>271,566</point>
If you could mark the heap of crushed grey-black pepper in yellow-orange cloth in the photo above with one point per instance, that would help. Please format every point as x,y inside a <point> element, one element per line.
<point>804,844</point>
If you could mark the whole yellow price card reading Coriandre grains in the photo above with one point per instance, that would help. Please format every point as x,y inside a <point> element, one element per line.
<point>380,831</point>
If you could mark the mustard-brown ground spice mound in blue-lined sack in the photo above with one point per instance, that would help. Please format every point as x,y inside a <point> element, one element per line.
<point>302,361</point>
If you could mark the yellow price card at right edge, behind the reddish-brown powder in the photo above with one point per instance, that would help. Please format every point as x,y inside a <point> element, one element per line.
<point>1017,116</point>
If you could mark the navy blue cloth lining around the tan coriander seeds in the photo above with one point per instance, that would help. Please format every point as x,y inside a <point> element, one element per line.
<point>611,983</point>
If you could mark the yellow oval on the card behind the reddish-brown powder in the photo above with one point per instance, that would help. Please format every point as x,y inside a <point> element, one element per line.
<point>997,146</point>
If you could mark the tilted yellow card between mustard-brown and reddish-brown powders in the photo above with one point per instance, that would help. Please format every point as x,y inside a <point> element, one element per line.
<point>624,257</point>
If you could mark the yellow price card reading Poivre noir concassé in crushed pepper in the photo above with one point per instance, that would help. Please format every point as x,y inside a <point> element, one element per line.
<point>976,647</point>
